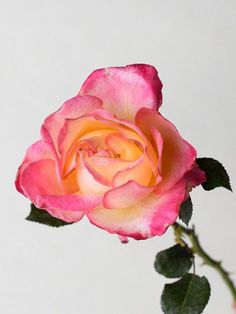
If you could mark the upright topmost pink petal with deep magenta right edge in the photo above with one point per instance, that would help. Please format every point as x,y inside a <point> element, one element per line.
<point>124,90</point>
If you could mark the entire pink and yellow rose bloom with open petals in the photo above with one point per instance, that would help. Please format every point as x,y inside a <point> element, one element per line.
<point>109,154</point>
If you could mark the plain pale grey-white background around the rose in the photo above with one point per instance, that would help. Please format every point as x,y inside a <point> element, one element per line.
<point>47,49</point>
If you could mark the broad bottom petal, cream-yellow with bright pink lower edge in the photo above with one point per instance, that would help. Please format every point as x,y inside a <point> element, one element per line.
<point>147,218</point>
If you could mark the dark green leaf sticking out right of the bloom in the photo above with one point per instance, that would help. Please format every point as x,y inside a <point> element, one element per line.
<point>215,173</point>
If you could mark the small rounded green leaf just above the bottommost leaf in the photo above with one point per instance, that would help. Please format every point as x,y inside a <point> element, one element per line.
<point>173,262</point>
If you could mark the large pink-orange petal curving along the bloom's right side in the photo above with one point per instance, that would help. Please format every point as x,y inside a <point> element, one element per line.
<point>178,155</point>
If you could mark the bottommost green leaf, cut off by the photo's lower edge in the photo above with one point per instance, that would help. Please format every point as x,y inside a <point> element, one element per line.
<point>188,295</point>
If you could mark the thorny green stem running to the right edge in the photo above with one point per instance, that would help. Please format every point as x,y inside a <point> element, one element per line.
<point>179,230</point>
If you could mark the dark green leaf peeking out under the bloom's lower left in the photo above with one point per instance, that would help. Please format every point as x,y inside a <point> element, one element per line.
<point>43,217</point>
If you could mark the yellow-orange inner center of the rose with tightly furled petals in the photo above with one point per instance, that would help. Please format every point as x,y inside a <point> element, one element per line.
<point>107,157</point>
